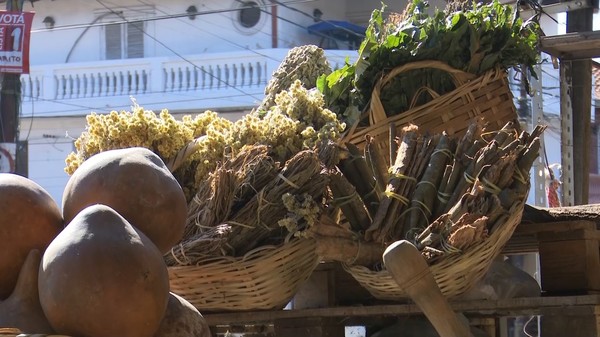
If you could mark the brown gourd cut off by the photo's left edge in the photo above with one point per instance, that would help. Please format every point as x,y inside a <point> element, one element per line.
<point>29,219</point>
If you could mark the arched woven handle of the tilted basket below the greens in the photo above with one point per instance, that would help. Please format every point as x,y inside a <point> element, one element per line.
<point>377,113</point>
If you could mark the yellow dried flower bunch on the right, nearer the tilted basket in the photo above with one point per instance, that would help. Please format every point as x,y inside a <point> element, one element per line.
<point>298,121</point>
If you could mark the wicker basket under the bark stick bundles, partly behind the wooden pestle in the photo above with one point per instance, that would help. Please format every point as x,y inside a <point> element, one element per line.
<point>455,274</point>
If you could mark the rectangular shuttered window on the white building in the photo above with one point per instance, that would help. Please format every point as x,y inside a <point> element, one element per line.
<point>124,40</point>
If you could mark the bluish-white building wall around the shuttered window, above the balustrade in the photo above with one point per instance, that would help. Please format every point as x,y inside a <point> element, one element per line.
<point>169,37</point>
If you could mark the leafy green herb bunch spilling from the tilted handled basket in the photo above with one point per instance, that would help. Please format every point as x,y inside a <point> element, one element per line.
<point>472,37</point>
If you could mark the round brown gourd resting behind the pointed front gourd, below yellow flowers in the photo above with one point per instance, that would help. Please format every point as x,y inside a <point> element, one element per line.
<point>136,183</point>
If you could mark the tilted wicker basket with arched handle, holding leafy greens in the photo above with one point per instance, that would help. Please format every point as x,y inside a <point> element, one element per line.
<point>487,98</point>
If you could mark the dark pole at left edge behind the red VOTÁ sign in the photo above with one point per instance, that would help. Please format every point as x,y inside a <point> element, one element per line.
<point>10,104</point>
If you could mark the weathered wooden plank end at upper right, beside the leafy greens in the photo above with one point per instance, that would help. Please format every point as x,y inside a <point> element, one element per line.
<point>572,46</point>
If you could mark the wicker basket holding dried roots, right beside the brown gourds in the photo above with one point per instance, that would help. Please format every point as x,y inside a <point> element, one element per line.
<point>266,278</point>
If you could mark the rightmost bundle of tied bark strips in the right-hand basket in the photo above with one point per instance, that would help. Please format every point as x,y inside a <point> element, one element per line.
<point>495,181</point>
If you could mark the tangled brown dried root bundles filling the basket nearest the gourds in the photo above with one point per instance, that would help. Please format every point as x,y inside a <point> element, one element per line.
<point>251,200</point>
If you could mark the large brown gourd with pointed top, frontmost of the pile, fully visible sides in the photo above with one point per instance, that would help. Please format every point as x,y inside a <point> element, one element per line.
<point>103,277</point>
